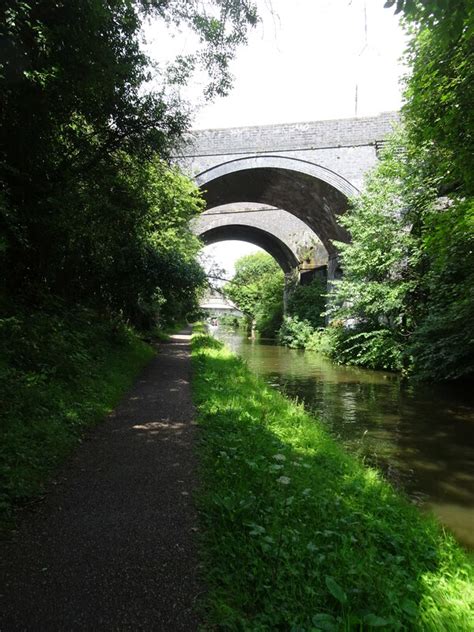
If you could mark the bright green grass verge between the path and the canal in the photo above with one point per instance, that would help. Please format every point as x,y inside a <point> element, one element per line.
<point>298,535</point>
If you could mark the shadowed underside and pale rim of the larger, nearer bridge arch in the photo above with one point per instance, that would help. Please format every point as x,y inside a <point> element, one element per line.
<point>315,195</point>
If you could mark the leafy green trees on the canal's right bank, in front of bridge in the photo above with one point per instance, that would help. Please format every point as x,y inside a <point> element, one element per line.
<point>406,297</point>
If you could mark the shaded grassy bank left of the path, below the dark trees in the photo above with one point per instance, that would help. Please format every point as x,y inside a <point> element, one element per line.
<point>61,370</point>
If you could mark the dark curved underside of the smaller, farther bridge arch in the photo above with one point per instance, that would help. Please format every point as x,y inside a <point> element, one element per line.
<point>282,254</point>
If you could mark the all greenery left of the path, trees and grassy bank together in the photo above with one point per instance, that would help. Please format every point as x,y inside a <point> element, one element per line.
<point>94,234</point>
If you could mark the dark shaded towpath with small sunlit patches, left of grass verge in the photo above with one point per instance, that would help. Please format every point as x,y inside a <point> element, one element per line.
<point>113,545</point>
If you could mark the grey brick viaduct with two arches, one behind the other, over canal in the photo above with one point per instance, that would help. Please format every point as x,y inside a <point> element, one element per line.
<point>283,187</point>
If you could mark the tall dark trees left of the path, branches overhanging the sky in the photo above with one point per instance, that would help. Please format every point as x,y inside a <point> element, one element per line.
<point>84,142</point>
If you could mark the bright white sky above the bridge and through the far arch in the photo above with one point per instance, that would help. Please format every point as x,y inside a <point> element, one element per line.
<point>307,60</point>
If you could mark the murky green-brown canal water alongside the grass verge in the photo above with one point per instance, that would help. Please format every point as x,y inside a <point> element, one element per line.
<point>420,437</point>
